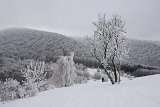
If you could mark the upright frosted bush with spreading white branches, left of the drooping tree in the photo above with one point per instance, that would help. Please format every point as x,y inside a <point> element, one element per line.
<point>34,77</point>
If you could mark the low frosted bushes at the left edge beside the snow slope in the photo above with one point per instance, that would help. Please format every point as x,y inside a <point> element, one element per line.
<point>11,89</point>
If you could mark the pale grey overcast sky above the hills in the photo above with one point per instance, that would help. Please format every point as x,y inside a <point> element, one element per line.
<point>75,17</point>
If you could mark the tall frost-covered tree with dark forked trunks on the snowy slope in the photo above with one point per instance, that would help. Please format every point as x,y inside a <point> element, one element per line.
<point>108,44</point>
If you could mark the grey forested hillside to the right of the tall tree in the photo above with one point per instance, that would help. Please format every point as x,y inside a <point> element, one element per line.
<point>144,52</point>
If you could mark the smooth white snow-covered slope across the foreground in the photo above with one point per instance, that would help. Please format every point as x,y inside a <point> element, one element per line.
<point>139,92</point>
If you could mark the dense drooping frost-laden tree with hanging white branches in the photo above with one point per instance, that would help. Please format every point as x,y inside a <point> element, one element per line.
<point>65,73</point>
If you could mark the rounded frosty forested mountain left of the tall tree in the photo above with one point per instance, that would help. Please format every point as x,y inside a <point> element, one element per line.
<point>29,43</point>
